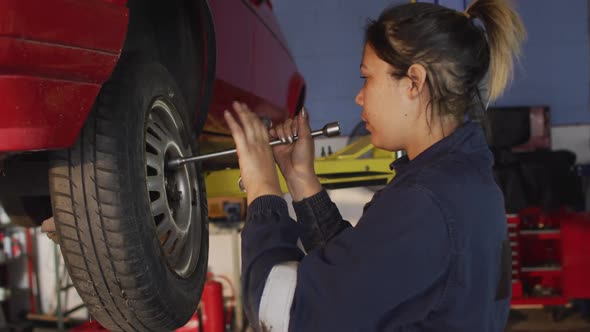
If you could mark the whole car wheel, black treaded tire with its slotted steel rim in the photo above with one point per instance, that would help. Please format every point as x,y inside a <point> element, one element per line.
<point>112,244</point>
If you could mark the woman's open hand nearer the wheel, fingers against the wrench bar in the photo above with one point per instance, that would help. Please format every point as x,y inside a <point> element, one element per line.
<point>257,165</point>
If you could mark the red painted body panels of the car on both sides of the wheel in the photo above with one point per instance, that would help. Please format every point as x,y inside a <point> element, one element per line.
<point>56,54</point>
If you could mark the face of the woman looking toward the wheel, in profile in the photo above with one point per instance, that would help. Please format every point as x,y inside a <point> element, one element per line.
<point>388,112</point>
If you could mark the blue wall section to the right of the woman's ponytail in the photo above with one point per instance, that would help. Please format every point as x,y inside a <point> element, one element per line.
<point>556,60</point>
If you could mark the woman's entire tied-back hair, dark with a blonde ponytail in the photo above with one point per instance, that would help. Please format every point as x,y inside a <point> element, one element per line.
<point>458,54</point>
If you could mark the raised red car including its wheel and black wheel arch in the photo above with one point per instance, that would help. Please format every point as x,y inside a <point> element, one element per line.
<point>96,96</point>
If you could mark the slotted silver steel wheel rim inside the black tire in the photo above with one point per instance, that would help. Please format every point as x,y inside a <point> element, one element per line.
<point>173,193</point>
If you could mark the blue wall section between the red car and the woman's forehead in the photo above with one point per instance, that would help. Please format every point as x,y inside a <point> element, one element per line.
<point>326,38</point>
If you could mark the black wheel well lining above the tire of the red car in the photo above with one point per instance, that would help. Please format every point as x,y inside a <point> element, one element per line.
<point>178,34</point>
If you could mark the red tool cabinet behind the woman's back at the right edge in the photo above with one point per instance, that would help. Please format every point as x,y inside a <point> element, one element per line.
<point>550,257</point>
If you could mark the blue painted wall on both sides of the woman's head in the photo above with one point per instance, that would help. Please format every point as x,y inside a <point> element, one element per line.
<point>326,38</point>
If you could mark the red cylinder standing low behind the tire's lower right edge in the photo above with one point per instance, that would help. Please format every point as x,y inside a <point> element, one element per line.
<point>212,306</point>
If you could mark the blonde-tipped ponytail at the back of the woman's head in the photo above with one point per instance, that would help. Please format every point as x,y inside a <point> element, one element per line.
<point>505,33</point>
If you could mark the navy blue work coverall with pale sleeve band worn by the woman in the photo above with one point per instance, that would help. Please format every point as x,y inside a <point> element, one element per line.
<point>430,252</point>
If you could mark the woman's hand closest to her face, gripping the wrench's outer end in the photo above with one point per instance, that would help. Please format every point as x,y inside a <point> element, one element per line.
<point>296,160</point>
